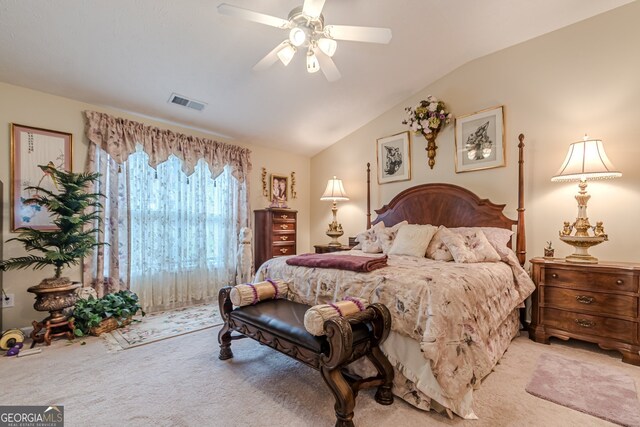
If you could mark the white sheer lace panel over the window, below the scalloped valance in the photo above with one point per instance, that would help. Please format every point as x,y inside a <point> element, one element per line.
<point>183,232</point>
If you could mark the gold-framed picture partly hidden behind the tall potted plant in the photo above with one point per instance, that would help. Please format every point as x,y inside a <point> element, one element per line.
<point>31,147</point>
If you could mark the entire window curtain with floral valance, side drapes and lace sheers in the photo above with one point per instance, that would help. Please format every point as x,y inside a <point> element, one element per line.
<point>171,220</point>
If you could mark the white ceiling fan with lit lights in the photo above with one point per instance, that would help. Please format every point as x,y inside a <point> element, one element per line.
<point>307,31</point>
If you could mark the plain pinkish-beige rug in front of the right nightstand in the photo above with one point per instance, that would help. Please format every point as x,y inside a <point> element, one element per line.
<point>593,389</point>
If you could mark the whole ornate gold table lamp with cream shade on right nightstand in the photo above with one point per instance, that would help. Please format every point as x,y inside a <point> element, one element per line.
<point>586,160</point>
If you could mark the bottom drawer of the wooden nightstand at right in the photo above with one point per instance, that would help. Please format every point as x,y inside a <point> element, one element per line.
<point>587,324</point>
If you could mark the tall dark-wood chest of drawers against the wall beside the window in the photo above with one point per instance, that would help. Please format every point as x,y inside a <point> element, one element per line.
<point>275,234</point>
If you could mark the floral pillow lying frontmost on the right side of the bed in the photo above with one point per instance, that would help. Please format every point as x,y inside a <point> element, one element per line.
<point>470,247</point>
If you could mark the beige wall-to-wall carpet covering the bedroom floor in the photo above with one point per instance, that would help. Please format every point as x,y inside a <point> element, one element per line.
<point>181,382</point>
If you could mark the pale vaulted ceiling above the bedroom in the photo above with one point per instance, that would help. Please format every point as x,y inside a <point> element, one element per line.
<point>132,55</point>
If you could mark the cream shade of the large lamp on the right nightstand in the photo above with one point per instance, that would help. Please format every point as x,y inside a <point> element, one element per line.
<point>586,160</point>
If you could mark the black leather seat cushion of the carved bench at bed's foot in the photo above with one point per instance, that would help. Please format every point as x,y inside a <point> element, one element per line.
<point>285,319</point>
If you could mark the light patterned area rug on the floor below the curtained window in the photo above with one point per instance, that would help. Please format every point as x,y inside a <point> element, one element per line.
<point>162,325</point>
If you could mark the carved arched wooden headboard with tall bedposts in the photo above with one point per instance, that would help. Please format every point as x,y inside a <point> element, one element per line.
<point>452,206</point>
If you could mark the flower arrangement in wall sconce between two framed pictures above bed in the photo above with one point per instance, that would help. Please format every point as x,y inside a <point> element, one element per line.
<point>428,118</point>
